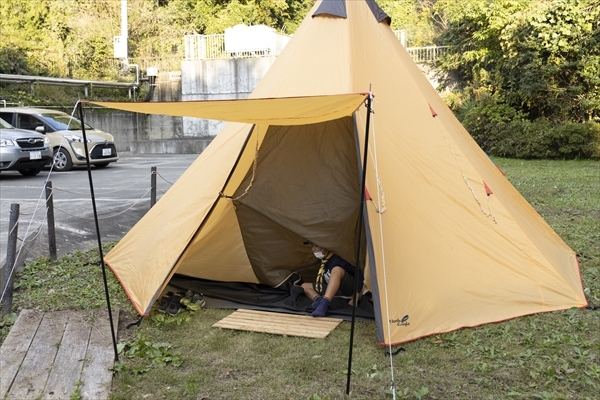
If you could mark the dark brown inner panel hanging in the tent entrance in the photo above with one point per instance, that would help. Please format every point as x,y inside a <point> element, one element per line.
<point>306,186</point>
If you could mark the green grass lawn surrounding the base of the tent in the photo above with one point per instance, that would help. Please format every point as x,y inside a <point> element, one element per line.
<point>544,356</point>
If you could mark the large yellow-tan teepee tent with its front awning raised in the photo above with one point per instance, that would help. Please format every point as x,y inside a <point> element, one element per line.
<point>449,242</point>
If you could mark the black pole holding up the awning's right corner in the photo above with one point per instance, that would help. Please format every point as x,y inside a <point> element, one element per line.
<point>360,224</point>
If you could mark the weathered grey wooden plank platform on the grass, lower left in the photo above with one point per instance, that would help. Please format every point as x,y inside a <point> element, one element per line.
<point>53,355</point>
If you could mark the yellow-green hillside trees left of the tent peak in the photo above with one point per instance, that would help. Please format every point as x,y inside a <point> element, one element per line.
<point>74,39</point>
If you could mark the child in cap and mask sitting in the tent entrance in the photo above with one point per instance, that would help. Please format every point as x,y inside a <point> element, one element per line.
<point>338,275</point>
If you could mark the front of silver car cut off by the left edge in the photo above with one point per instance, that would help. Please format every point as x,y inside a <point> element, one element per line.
<point>23,151</point>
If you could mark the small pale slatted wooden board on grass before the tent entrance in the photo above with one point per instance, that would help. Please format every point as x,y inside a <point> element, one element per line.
<point>279,324</point>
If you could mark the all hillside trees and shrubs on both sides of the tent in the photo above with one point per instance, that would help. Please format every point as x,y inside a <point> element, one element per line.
<point>528,72</point>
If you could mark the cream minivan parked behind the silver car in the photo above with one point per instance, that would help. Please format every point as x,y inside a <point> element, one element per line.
<point>65,135</point>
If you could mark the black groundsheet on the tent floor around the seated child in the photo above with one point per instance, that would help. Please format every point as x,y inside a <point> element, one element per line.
<point>287,297</point>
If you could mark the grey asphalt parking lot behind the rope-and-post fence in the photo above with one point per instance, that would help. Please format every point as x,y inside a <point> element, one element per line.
<point>122,193</point>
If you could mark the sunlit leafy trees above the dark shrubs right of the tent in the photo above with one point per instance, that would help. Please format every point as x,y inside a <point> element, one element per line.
<point>541,58</point>
